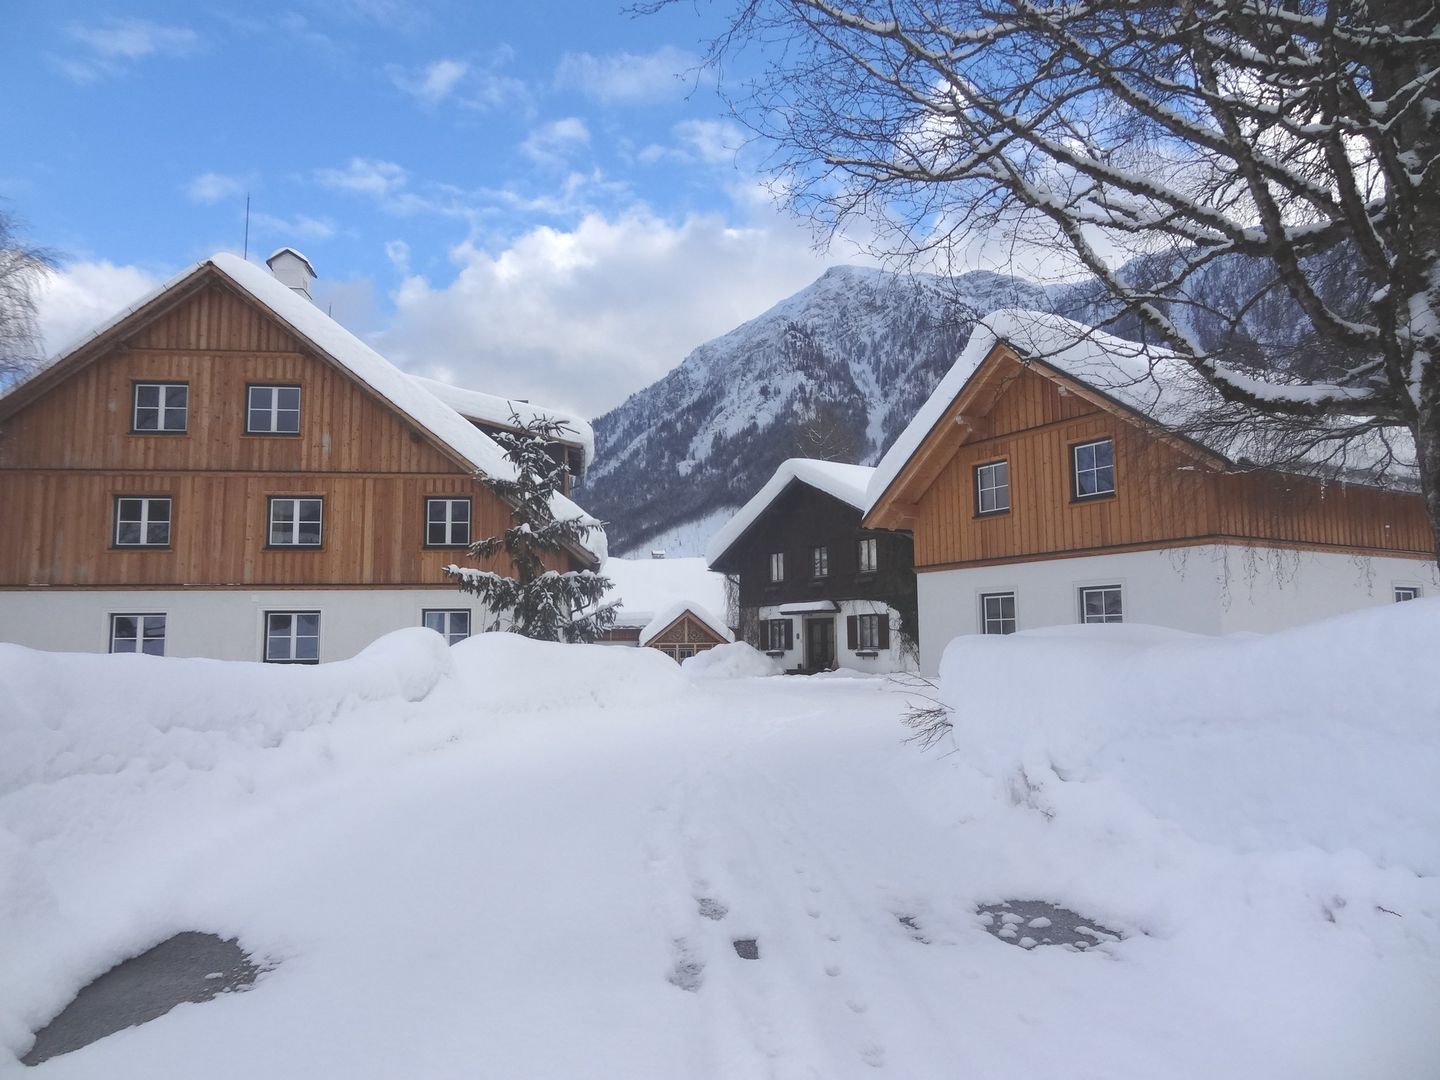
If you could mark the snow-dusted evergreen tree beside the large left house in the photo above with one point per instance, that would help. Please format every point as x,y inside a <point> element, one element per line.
<point>542,604</point>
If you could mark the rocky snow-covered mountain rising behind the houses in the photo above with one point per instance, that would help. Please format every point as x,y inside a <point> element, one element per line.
<point>834,372</point>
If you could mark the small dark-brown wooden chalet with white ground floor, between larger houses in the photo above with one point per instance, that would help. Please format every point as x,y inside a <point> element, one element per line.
<point>817,590</point>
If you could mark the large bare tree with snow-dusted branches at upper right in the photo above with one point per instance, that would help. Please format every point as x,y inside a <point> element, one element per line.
<point>1150,142</point>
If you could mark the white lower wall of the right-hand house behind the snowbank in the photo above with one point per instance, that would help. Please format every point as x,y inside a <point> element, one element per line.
<point>1205,590</point>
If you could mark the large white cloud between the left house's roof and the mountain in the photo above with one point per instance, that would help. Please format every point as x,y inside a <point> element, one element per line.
<point>584,318</point>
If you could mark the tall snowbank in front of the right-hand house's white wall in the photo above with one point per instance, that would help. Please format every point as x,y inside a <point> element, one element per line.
<point>1324,737</point>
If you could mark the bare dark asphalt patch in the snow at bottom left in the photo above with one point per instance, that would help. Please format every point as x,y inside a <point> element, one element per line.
<point>189,967</point>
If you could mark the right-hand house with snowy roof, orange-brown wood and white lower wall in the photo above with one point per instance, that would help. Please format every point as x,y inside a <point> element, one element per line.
<point>1065,476</point>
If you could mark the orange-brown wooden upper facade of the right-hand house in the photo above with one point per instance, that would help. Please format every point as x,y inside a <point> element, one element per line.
<point>1169,492</point>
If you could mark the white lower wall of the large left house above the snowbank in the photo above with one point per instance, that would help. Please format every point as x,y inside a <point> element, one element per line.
<point>221,624</point>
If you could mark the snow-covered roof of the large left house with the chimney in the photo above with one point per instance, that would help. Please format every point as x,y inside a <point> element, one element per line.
<point>477,450</point>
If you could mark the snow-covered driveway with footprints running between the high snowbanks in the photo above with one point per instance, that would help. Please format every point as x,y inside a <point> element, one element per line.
<point>558,895</point>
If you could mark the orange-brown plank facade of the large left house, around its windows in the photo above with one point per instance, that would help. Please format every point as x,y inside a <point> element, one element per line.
<point>68,451</point>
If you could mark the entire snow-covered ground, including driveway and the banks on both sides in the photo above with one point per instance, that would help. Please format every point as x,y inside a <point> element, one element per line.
<point>521,860</point>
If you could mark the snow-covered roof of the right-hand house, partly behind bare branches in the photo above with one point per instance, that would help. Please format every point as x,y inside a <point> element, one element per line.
<point>1158,385</point>
